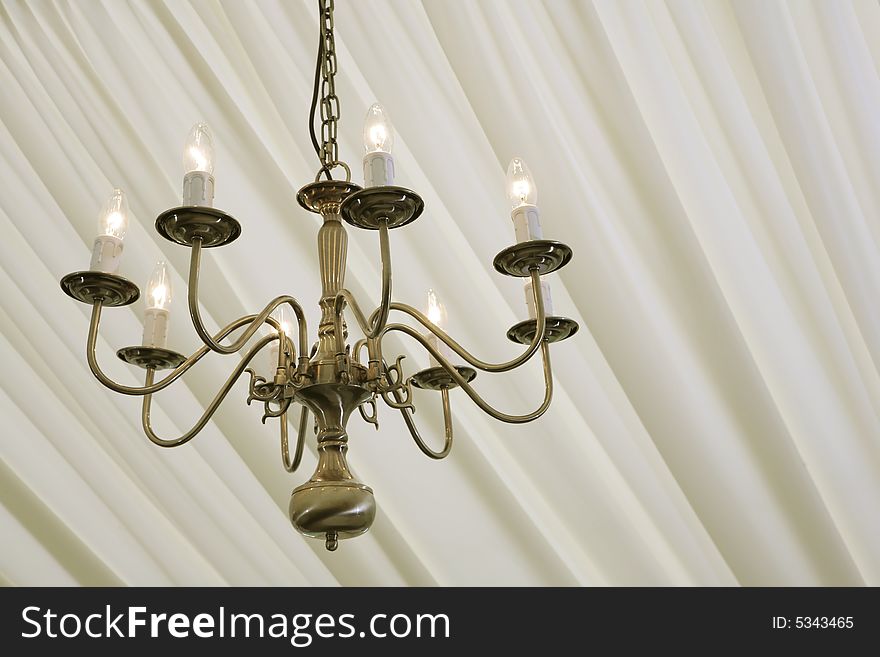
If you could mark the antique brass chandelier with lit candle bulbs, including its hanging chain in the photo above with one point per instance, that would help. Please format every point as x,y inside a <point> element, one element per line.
<point>329,378</point>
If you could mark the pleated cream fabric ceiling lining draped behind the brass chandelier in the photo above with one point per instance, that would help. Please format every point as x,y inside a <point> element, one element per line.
<point>714,165</point>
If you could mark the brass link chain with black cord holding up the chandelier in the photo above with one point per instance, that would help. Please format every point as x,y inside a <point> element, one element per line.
<point>328,151</point>
